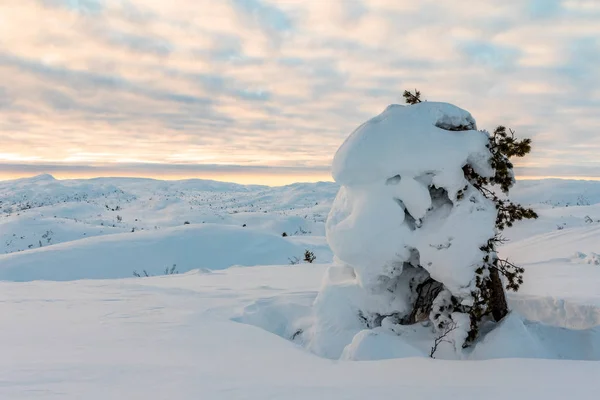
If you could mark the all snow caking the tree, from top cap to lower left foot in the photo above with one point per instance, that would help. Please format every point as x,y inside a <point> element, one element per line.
<point>405,215</point>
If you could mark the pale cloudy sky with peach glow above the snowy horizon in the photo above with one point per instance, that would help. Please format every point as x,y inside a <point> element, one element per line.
<point>265,91</point>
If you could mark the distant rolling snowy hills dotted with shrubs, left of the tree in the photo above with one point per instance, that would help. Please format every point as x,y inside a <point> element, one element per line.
<point>42,211</point>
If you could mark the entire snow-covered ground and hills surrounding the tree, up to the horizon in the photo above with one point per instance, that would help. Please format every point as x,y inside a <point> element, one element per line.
<point>77,324</point>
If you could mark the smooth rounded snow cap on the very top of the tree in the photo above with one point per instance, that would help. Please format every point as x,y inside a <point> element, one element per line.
<point>410,140</point>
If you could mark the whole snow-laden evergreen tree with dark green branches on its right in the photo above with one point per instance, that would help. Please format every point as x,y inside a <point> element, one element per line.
<point>415,225</point>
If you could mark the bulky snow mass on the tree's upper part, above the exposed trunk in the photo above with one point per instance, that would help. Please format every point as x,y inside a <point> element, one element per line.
<point>401,173</point>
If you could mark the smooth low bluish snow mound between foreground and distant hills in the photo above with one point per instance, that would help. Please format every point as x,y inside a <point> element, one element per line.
<point>117,256</point>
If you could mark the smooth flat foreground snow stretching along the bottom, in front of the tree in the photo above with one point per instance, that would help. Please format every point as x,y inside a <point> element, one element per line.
<point>172,338</point>
